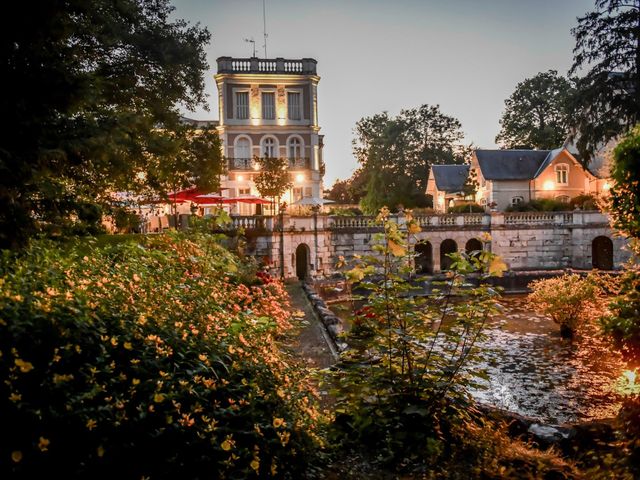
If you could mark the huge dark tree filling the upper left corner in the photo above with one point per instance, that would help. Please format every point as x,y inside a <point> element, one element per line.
<point>95,88</point>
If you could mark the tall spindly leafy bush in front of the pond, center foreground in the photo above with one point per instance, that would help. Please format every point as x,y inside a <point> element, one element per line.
<point>401,388</point>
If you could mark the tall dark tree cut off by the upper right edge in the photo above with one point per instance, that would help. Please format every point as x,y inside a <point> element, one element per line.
<point>607,100</point>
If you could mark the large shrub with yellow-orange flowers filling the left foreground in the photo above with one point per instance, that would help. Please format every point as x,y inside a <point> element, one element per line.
<point>148,360</point>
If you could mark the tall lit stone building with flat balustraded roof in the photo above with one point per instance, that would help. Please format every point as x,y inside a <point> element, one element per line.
<point>269,108</point>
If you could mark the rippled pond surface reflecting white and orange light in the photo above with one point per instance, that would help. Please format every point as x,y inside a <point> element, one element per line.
<point>532,371</point>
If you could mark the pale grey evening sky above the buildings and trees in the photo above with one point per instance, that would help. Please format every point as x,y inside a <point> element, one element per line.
<point>385,55</point>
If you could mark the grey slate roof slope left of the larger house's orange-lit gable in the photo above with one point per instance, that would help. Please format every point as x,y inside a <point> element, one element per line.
<point>512,164</point>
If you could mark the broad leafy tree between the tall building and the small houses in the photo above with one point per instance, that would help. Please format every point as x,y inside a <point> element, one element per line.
<point>397,152</point>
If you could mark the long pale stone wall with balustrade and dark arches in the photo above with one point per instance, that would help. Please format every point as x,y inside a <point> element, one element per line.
<point>310,245</point>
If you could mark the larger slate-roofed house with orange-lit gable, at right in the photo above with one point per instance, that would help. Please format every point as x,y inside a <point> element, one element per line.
<point>508,177</point>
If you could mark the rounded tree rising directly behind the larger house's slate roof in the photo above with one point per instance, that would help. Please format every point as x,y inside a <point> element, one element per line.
<point>536,114</point>
